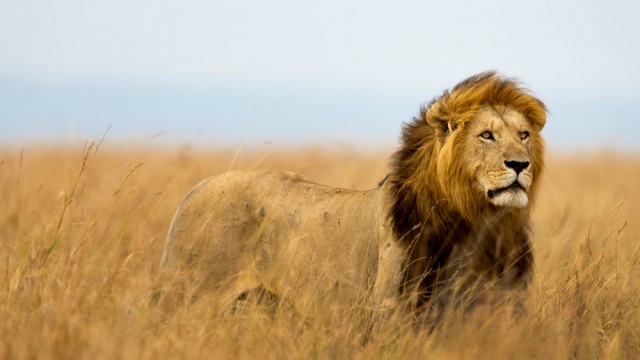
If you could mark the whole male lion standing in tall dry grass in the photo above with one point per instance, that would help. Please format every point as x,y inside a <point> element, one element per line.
<point>452,215</point>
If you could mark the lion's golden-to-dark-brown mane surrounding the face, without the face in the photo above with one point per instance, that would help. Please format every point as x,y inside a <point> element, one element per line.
<point>429,223</point>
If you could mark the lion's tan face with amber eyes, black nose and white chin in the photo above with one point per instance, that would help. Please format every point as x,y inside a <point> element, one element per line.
<point>500,147</point>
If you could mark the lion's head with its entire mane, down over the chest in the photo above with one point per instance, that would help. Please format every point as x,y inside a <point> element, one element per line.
<point>463,182</point>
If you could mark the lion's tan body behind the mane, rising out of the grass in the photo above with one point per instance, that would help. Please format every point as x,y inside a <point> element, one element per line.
<point>270,229</point>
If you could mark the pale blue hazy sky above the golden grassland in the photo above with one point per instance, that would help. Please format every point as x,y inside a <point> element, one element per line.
<point>291,71</point>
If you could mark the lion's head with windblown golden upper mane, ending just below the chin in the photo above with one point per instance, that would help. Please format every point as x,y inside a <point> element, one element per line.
<point>473,150</point>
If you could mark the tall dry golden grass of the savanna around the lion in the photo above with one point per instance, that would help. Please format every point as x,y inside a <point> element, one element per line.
<point>82,232</point>
